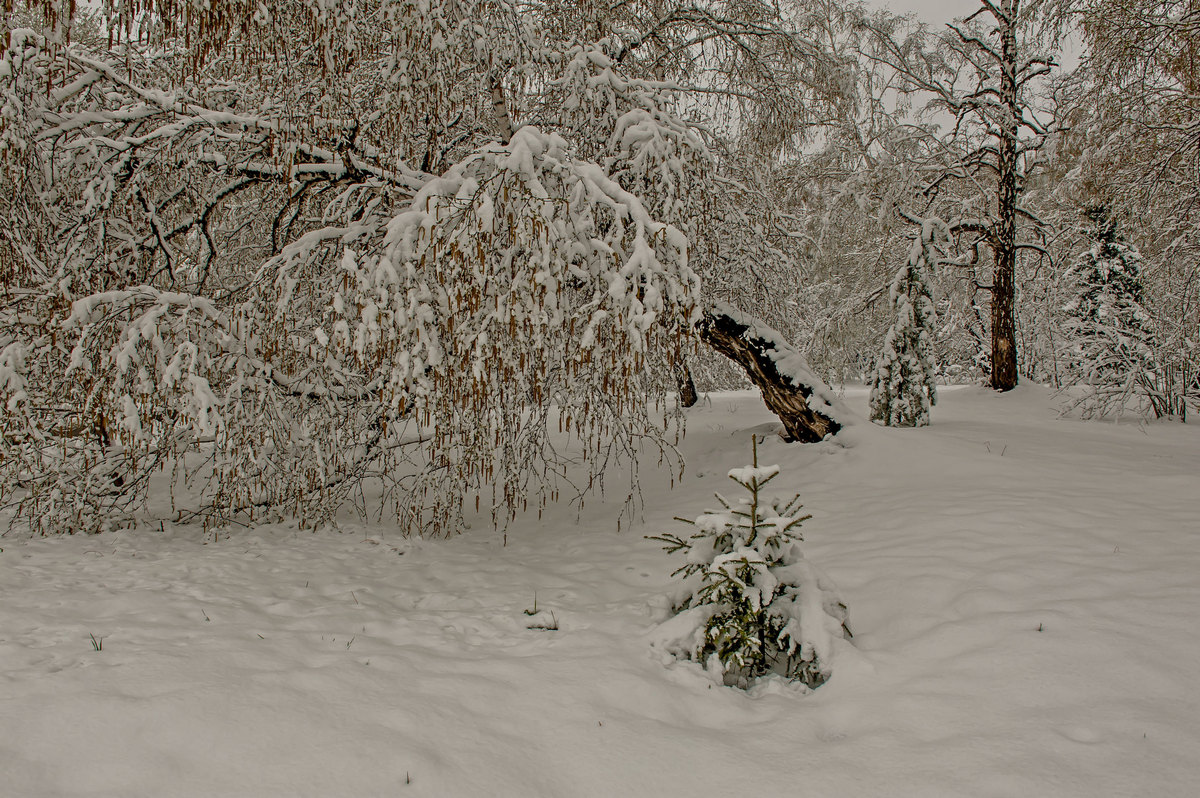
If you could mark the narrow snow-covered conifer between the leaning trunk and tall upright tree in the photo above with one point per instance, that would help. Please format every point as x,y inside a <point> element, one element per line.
<point>904,387</point>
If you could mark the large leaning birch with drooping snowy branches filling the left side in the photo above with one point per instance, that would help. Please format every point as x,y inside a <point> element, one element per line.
<point>284,250</point>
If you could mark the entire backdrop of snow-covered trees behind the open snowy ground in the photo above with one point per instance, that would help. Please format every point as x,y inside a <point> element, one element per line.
<point>392,255</point>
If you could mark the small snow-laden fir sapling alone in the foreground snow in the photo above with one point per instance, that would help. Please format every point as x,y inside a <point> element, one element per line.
<point>753,605</point>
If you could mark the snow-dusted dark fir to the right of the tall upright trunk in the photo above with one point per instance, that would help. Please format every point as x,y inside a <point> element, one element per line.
<point>1109,352</point>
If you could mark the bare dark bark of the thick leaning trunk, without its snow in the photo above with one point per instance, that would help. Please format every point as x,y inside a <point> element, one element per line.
<point>759,351</point>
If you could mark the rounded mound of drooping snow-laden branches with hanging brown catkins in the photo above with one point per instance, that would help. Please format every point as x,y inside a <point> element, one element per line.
<point>521,280</point>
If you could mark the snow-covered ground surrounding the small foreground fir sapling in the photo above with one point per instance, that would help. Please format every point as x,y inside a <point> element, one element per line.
<point>1025,595</point>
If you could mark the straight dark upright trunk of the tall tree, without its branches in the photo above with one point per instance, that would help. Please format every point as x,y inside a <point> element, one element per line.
<point>1004,284</point>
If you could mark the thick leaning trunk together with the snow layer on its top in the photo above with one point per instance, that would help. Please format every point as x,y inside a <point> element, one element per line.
<point>801,400</point>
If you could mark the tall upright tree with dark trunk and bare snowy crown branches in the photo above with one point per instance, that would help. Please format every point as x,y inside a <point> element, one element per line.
<point>981,80</point>
